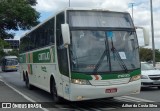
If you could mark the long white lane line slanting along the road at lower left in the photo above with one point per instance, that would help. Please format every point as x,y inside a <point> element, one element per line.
<point>26,97</point>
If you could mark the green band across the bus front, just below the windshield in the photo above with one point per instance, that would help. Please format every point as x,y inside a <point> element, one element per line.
<point>106,76</point>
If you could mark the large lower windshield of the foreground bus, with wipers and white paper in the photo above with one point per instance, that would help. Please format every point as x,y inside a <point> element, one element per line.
<point>103,51</point>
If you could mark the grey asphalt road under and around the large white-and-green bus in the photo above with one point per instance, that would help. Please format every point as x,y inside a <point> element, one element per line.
<point>38,95</point>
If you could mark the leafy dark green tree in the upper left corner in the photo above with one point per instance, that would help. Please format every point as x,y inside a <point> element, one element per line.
<point>17,15</point>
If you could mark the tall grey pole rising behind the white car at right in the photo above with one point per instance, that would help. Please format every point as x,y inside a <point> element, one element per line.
<point>152,28</point>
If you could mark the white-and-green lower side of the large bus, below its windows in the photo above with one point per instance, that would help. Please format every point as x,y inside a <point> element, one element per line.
<point>40,65</point>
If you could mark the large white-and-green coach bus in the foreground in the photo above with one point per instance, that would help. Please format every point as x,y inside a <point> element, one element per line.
<point>82,54</point>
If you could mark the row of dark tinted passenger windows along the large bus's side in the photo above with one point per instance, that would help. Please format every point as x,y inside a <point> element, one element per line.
<point>40,37</point>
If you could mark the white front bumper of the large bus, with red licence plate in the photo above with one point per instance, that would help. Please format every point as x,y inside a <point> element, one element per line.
<point>87,92</point>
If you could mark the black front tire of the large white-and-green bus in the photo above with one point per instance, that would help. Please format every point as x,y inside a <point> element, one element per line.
<point>55,96</point>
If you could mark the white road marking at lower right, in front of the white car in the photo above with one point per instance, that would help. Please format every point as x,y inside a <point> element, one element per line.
<point>134,99</point>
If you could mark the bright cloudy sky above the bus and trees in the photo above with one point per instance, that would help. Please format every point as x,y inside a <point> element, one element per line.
<point>141,12</point>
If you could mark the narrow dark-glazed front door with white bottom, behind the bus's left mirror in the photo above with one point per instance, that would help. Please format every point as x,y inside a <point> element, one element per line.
<point>62,56</point>
